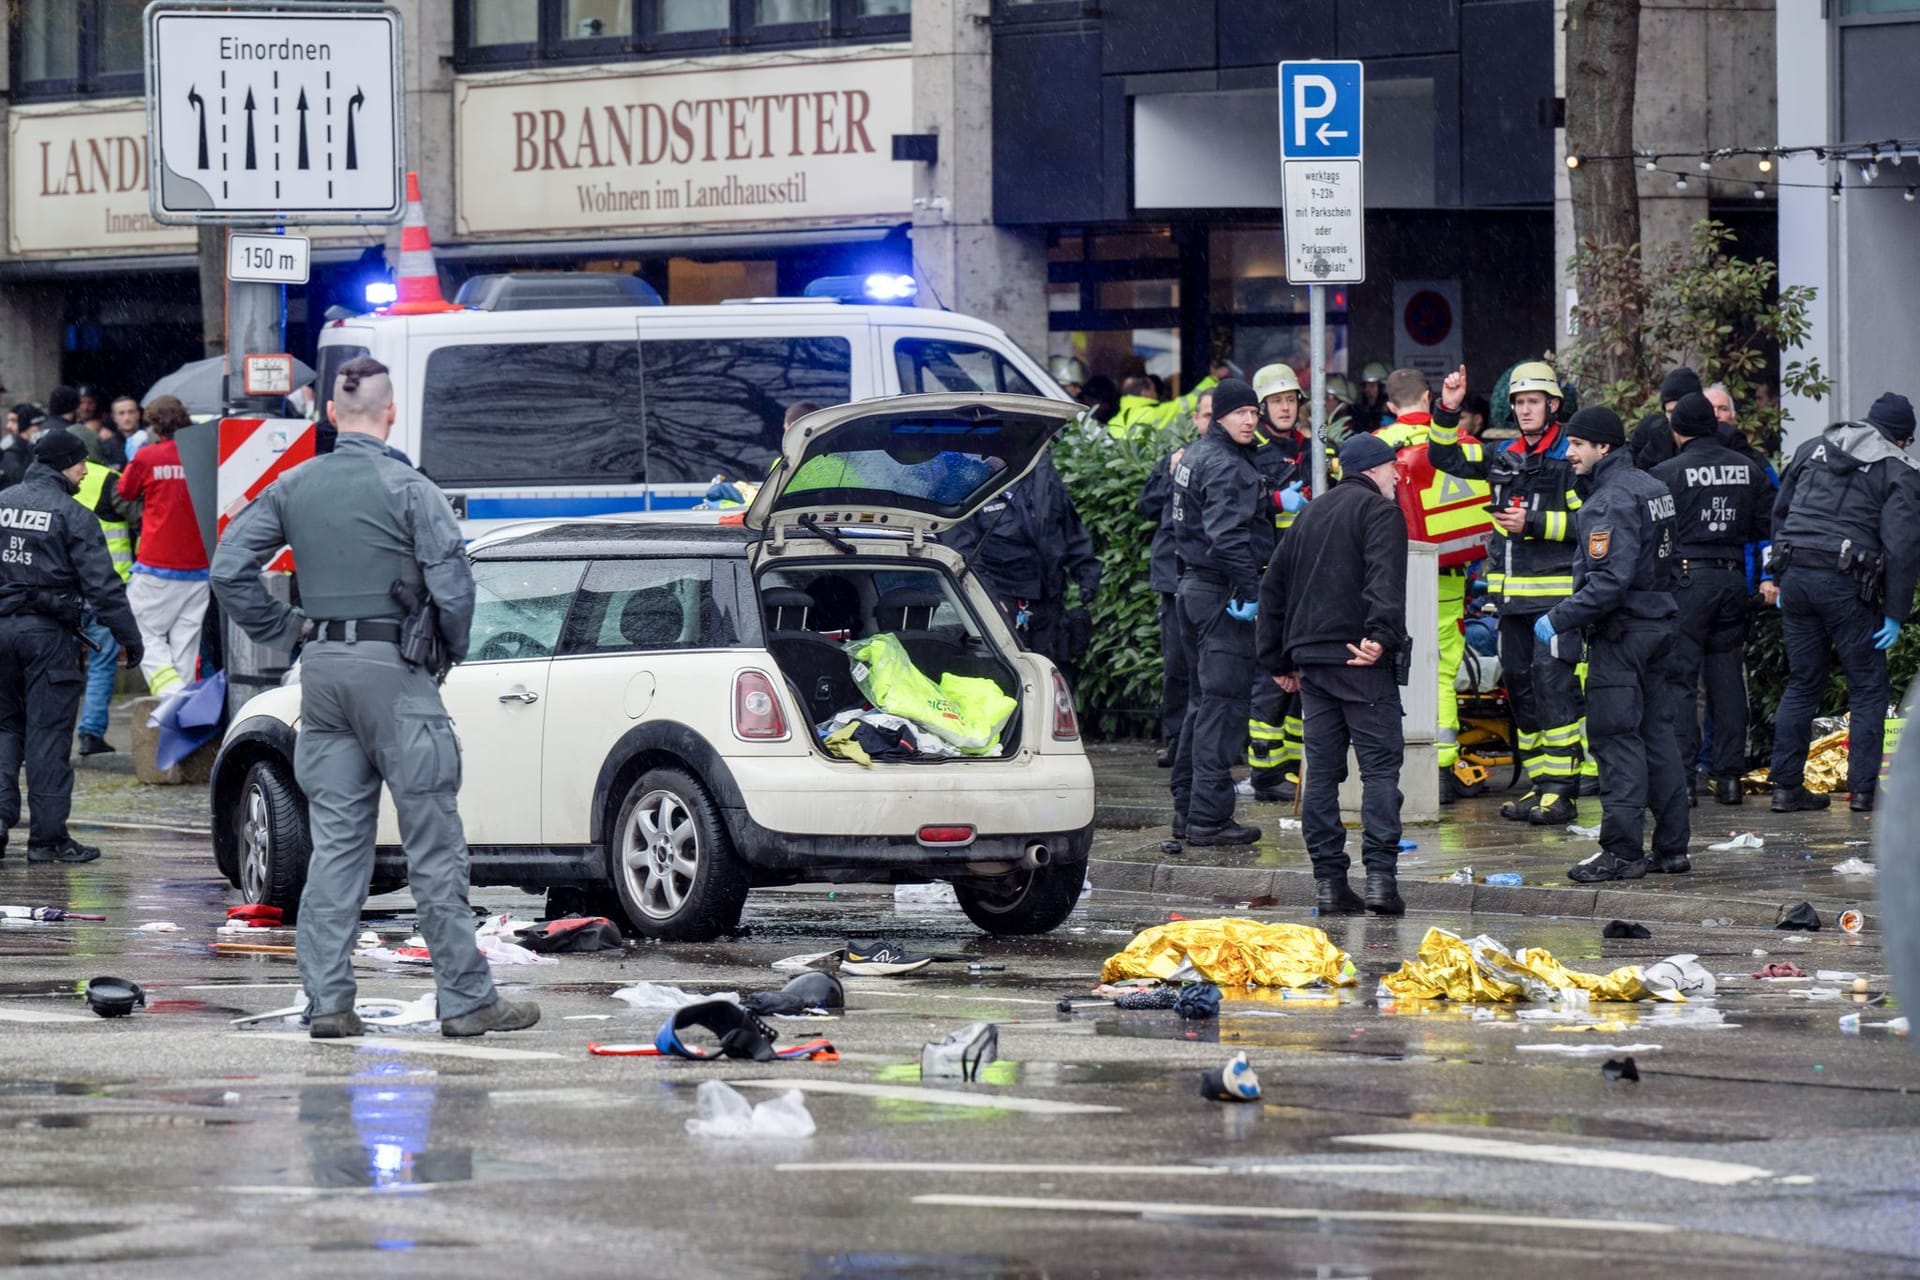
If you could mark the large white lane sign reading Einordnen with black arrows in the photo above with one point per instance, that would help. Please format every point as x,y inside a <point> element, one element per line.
<point>266,114</point>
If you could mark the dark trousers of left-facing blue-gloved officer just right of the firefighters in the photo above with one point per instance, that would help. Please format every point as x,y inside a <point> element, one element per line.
<point>1631,699</point>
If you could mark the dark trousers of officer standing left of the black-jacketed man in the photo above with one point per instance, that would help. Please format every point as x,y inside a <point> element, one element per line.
<point>1218,707</point>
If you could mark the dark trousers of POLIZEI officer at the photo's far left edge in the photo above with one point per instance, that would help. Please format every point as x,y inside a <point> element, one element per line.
<point>41,686</point>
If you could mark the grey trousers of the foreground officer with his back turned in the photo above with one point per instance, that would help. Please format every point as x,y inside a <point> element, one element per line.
<point>368,717</point>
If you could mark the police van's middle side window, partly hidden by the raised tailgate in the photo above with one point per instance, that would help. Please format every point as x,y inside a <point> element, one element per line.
<point>719,406</point>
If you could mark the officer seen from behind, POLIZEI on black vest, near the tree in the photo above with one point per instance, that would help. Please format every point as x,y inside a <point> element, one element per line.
<point>1721,506</point>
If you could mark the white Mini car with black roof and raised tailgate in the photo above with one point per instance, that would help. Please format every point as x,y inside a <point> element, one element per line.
<point>640,701</point>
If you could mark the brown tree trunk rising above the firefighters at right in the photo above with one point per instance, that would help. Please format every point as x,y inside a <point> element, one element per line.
<point>1602,64</point>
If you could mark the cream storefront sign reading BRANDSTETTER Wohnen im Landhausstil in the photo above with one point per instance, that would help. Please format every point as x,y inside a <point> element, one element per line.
<point>750,143</point>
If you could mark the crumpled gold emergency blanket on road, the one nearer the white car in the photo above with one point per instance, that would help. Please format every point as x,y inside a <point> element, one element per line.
<point>1234,953</point>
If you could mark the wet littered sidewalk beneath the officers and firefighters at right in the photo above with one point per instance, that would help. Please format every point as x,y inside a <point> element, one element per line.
<point>1744,888</point>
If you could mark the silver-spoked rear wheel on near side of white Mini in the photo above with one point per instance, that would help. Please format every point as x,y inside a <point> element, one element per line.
<point>673,861</point>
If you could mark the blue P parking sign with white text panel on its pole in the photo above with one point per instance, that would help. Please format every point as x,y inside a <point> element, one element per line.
<point>1326,214</point>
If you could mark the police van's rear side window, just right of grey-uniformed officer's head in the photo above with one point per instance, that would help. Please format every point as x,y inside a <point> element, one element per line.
<point>535,414</point>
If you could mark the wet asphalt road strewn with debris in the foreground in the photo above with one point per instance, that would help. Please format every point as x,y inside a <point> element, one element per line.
<point>174,1145</point>
